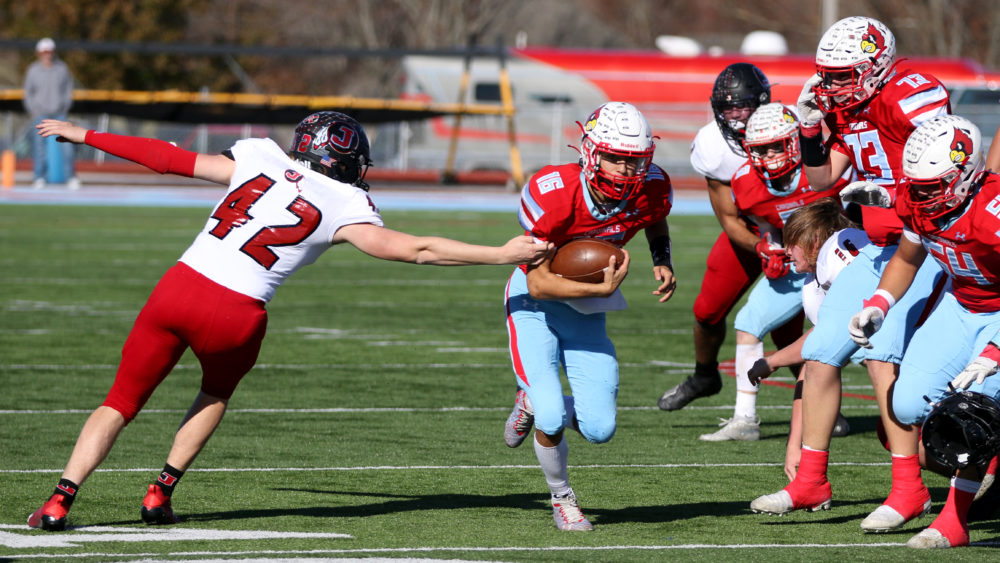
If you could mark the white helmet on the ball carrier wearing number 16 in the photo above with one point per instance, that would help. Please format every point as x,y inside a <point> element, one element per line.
<point>619,131</point>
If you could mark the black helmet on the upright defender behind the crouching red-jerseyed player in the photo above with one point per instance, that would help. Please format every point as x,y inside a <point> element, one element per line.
<point>739,85</point>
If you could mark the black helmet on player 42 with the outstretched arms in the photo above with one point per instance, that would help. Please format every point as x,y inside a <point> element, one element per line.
<point>335,145</point>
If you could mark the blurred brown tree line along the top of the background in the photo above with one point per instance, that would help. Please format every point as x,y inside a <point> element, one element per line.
<point>967,28</point>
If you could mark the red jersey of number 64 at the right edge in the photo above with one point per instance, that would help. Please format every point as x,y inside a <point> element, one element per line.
<point>967,247</point>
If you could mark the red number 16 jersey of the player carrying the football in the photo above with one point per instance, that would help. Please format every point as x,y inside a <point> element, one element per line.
<point>556,207</point>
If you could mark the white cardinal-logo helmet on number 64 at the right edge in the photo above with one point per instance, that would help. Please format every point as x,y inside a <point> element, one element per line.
<point>942,160</point>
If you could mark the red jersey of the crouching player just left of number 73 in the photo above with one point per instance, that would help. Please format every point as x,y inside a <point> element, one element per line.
<point>767,208</point>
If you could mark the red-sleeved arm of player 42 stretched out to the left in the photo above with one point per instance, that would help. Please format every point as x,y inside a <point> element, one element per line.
<point>154,154</point>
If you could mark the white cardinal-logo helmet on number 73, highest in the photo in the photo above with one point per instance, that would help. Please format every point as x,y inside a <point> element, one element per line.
<point>854,58</point>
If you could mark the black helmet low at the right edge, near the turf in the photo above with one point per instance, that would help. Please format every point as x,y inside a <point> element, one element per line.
<point>962,430</point>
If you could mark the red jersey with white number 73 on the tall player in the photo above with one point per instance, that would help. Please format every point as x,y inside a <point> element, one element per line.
<point>873,139</point>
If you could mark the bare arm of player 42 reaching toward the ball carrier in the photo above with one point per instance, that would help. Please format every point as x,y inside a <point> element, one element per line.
<point>403,247</point>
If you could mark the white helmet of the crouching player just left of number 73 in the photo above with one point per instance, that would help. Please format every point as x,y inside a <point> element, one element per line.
<point>772,141</point>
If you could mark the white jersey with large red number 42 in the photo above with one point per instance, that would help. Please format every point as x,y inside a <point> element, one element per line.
<point>276,217</point>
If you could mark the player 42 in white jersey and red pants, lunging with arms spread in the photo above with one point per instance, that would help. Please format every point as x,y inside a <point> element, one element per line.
<point>281,211</point>
